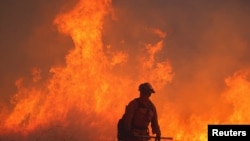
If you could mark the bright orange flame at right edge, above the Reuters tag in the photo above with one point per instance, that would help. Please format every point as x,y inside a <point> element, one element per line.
<point>237,95</point>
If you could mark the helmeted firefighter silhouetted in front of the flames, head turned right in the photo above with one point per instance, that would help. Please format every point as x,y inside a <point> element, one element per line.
<point>140,114</point>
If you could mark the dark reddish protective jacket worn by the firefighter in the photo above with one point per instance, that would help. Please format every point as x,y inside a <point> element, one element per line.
<point>138,116</point>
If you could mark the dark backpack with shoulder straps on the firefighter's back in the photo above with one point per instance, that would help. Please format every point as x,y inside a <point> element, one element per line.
<point>121,131</point>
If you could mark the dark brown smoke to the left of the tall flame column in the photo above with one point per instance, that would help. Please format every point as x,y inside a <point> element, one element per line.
<point>29,39</point>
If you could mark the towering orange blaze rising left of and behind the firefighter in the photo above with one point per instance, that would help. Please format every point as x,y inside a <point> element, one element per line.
<point>85,95</point>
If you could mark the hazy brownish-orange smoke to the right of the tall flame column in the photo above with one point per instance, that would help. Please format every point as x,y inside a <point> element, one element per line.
<point>205,42</point>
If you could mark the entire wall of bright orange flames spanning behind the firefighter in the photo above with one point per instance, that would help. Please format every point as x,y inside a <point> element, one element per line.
<point>84,99</point>
